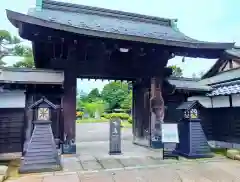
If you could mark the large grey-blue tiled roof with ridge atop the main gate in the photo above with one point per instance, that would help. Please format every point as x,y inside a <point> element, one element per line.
<point>92,21</point>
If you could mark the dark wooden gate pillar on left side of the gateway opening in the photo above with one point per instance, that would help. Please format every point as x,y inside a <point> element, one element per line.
<point>69,103</point>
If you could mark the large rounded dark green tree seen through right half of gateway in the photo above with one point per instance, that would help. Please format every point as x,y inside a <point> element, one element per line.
<point>114,94</point>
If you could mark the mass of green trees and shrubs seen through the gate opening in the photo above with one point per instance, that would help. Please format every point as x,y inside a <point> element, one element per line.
<point>115,95</point>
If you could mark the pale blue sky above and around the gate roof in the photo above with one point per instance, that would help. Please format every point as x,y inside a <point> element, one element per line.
<point>206,20</point>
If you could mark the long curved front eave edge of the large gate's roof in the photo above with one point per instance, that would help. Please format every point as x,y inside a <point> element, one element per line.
<point>16,18</point>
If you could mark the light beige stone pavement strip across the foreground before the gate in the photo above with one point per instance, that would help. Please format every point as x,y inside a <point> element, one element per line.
<point>223,170</point>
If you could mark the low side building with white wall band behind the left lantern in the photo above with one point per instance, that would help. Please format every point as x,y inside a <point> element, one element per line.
<point>20,88</point>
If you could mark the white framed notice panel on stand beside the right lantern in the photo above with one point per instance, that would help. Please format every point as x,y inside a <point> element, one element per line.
<point>170,133</point>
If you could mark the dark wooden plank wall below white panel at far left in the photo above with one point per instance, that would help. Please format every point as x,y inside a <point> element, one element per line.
<point>12,130</point>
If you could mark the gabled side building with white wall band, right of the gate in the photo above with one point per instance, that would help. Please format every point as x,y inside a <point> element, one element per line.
<point>224,78</point>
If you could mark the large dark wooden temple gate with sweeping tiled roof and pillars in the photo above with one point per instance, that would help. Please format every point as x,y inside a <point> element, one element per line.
<point>89,42</point>
